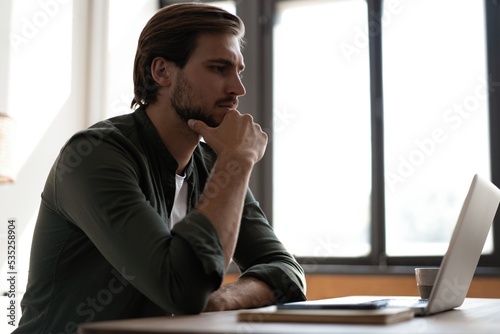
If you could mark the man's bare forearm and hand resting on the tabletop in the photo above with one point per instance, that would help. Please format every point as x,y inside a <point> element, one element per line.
<point>244,293</point>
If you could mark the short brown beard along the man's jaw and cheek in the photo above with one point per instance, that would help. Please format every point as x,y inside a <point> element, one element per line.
<point>182,101</point>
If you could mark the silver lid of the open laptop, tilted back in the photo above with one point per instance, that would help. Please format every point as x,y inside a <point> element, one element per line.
<point>467,242</point>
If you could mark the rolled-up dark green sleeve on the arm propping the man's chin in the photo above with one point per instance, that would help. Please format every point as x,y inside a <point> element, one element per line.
<point>97,186</point>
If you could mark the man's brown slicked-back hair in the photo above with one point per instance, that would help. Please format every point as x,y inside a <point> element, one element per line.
<point>172,33</point>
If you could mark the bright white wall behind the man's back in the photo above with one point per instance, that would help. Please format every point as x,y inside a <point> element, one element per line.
<point>58,76</point>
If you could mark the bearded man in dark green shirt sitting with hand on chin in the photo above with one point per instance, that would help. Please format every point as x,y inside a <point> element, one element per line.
<point>138,217</point>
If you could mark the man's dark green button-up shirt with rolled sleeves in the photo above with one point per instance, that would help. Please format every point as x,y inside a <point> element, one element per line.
<point>102,247</point>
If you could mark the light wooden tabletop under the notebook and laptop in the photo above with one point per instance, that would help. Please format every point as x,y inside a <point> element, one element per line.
<point>476,315</point>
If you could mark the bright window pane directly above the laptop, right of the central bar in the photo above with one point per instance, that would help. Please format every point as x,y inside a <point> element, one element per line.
<point>435,120</point>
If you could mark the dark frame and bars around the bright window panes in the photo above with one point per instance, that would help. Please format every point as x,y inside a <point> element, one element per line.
<point>258,16</point>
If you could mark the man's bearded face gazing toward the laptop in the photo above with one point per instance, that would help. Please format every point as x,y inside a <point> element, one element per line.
<point>210,83</point>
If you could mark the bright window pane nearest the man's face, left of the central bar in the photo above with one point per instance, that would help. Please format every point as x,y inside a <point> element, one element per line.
<point>321,120</point>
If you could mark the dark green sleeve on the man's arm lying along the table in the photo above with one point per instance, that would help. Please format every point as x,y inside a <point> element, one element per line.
<point>260,254</point>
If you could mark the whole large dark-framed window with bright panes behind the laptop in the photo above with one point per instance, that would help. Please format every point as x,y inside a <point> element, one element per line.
<point>397,99</point>
